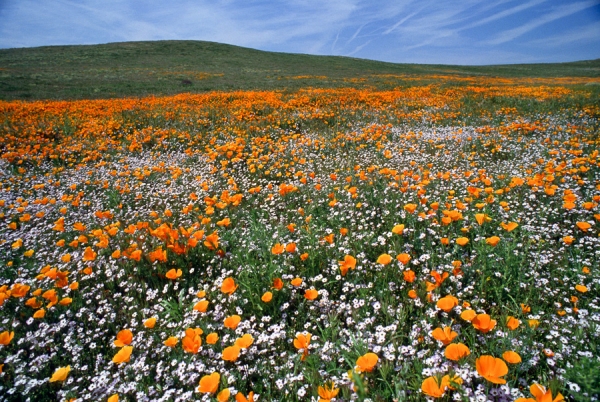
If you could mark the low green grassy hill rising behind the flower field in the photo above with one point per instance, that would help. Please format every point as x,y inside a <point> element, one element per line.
<point>170,67</point>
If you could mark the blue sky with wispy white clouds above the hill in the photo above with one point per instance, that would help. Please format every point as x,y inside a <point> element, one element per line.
<point>403,31</point>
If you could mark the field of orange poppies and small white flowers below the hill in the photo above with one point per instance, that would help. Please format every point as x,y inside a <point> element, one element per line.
<point>432,241</point>
